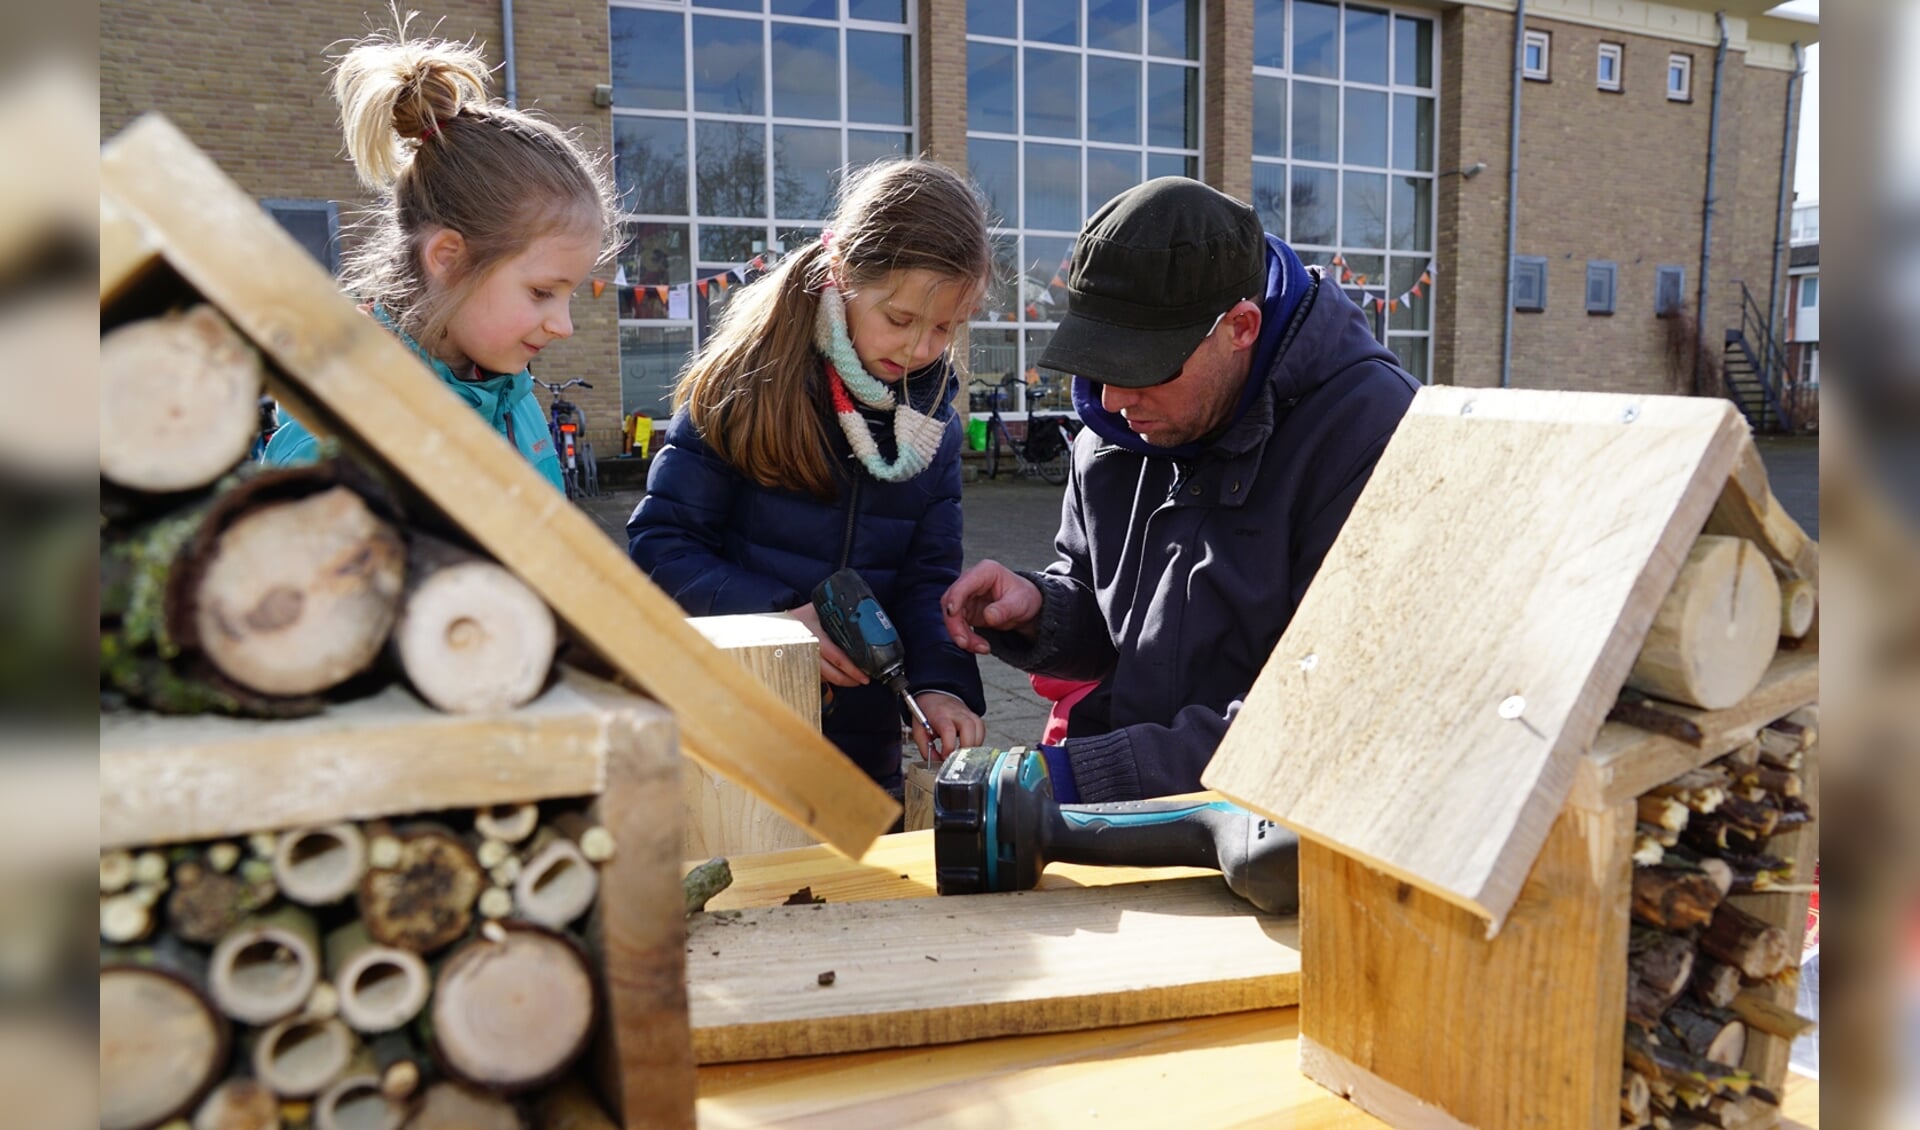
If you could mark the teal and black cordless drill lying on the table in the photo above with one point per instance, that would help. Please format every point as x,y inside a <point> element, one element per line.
<point>996,828</point>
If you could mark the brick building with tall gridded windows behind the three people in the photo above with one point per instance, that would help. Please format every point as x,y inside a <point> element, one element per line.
<point>1374,137</point>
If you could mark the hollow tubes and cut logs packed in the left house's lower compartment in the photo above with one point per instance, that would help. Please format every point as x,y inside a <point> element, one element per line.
<point>343,976</point>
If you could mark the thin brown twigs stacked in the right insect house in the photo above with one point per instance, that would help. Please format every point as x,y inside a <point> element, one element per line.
<point>1702,972</point>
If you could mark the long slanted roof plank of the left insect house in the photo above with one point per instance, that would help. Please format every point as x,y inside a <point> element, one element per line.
<point>237,258</point>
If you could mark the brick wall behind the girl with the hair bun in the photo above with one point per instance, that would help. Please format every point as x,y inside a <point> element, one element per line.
<point>251,87</point>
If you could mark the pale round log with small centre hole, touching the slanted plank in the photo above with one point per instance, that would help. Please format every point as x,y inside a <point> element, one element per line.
<point>471,636</point>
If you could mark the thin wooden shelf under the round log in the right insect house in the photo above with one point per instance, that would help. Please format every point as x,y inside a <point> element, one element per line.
<point>1629,761</point>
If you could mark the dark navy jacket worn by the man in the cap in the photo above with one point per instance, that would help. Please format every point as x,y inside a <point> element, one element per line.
<point>1178,575</point>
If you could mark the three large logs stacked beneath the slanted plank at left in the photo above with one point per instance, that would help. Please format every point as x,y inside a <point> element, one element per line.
<point>229,588</point>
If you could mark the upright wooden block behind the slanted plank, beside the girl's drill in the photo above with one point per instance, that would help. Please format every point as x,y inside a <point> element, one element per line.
<point>725,818</point>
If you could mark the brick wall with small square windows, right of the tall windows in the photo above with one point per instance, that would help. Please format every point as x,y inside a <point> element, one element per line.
<point>1606,177</point>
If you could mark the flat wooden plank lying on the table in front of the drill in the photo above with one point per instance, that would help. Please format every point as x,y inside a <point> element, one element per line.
<point>915,972</point>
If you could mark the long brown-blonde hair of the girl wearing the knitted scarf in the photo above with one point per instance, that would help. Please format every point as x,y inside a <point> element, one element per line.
<point>756,390</point>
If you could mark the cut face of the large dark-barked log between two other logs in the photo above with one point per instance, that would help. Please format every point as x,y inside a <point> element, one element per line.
<point>300,596</point>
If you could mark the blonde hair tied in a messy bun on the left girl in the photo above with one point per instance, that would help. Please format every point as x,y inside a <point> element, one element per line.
<point>421,133</point>
